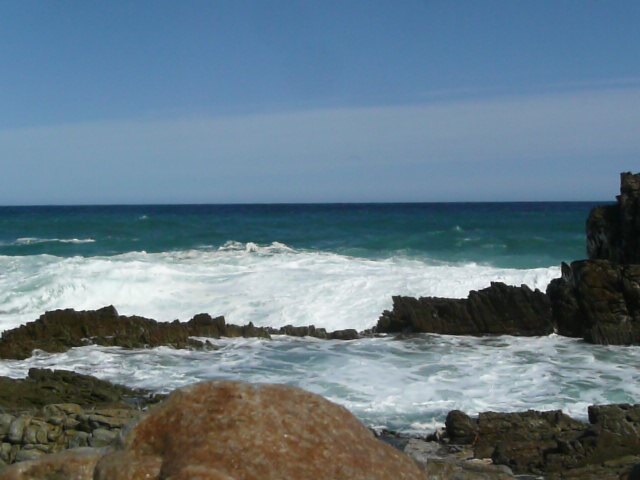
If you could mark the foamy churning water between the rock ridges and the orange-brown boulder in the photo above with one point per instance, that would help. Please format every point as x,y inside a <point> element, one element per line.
<point>407,384</point>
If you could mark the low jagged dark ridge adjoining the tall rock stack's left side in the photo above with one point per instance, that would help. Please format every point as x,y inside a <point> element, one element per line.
<point>498,309</point>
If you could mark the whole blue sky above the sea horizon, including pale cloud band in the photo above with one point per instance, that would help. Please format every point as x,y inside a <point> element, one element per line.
<point>271,101</point>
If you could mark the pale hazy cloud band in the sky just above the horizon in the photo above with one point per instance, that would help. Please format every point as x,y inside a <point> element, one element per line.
<point>334,154</point>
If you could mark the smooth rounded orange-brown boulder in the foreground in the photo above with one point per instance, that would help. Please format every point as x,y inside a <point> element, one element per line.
<point>233,430</point>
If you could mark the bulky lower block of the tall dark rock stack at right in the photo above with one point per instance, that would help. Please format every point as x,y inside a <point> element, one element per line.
<point>599,301</point>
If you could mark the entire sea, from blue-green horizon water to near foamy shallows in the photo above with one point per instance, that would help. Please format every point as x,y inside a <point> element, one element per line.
<point>334,266</point>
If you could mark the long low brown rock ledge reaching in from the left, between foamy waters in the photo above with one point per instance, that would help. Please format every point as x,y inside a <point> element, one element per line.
<point>59,330</point>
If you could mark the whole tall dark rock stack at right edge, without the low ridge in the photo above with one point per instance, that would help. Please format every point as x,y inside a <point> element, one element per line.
<point>598,299</point>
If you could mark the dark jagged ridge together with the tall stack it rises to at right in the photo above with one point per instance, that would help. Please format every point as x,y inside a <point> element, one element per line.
<point>597,299</point>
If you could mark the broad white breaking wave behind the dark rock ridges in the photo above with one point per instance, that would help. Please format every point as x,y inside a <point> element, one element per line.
<point>267,285</point>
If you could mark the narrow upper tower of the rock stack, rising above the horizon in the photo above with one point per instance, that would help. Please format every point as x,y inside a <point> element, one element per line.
<point>613,231</point>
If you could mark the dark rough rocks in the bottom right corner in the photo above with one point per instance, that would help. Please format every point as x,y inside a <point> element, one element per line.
<point>553,444</point>
